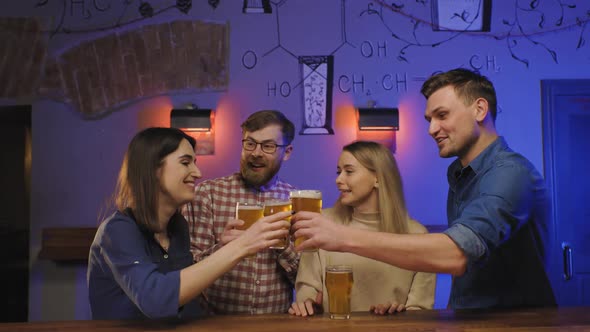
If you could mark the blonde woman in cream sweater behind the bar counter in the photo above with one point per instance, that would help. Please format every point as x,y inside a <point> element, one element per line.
<point>371,198</point>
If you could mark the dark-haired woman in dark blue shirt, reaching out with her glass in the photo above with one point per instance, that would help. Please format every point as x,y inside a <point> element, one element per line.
<point>140,265</point>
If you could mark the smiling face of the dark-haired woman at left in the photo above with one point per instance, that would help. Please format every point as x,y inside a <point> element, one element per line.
<point>177,176</point>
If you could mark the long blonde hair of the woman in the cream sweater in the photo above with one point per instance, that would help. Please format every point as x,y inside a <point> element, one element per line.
<point>392,205</point>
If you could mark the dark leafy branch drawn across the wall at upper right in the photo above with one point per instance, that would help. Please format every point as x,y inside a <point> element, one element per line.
<point>516,30</point>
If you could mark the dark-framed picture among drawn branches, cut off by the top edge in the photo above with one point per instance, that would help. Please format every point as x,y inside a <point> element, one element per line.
<point>461,15</point>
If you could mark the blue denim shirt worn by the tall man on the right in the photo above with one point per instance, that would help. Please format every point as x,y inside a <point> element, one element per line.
<point>497,209</point>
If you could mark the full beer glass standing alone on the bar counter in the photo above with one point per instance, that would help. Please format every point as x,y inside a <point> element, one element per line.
<point>339,284</point>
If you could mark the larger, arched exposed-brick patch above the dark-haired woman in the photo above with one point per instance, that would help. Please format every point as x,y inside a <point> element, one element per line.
<point>102,74</point>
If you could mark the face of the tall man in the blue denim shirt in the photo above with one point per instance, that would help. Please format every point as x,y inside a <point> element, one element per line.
<point>453,125</point>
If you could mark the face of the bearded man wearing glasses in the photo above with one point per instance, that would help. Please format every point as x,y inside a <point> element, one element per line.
<point>258,167</point>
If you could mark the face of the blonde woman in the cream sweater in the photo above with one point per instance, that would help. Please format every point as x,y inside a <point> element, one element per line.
<point>357,184</point>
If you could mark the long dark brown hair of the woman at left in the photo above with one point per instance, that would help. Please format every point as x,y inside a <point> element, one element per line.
<point>138,185</point>
